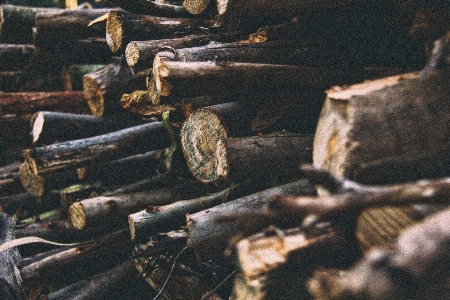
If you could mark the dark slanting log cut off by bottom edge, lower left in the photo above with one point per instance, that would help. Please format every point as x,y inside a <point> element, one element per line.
<point>99,286</point>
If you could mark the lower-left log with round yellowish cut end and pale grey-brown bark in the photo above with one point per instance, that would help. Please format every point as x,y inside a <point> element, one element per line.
<point>116,208</point>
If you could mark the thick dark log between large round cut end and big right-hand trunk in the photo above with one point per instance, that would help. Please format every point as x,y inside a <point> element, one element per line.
<point>260,157</point>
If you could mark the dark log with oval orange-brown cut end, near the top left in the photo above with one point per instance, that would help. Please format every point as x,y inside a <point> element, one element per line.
<point>122,28</point>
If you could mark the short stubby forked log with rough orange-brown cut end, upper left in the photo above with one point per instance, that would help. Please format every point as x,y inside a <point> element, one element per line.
<point>104,87</point>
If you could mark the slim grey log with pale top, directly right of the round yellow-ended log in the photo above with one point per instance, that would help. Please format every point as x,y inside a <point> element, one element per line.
<point>156,219</point>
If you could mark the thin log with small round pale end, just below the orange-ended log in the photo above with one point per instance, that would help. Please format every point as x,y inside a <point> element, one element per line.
<point>143,52</point>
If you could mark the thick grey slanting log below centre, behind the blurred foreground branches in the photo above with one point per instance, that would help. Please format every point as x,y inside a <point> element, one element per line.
<point>210,238</point>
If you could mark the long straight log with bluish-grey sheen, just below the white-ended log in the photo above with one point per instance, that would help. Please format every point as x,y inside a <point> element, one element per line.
<point>101,148</point>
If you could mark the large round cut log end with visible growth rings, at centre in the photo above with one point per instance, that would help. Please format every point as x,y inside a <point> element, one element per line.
<point>199,136</point>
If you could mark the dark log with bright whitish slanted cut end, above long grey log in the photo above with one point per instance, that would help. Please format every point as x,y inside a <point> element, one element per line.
<point>49,127</point>
